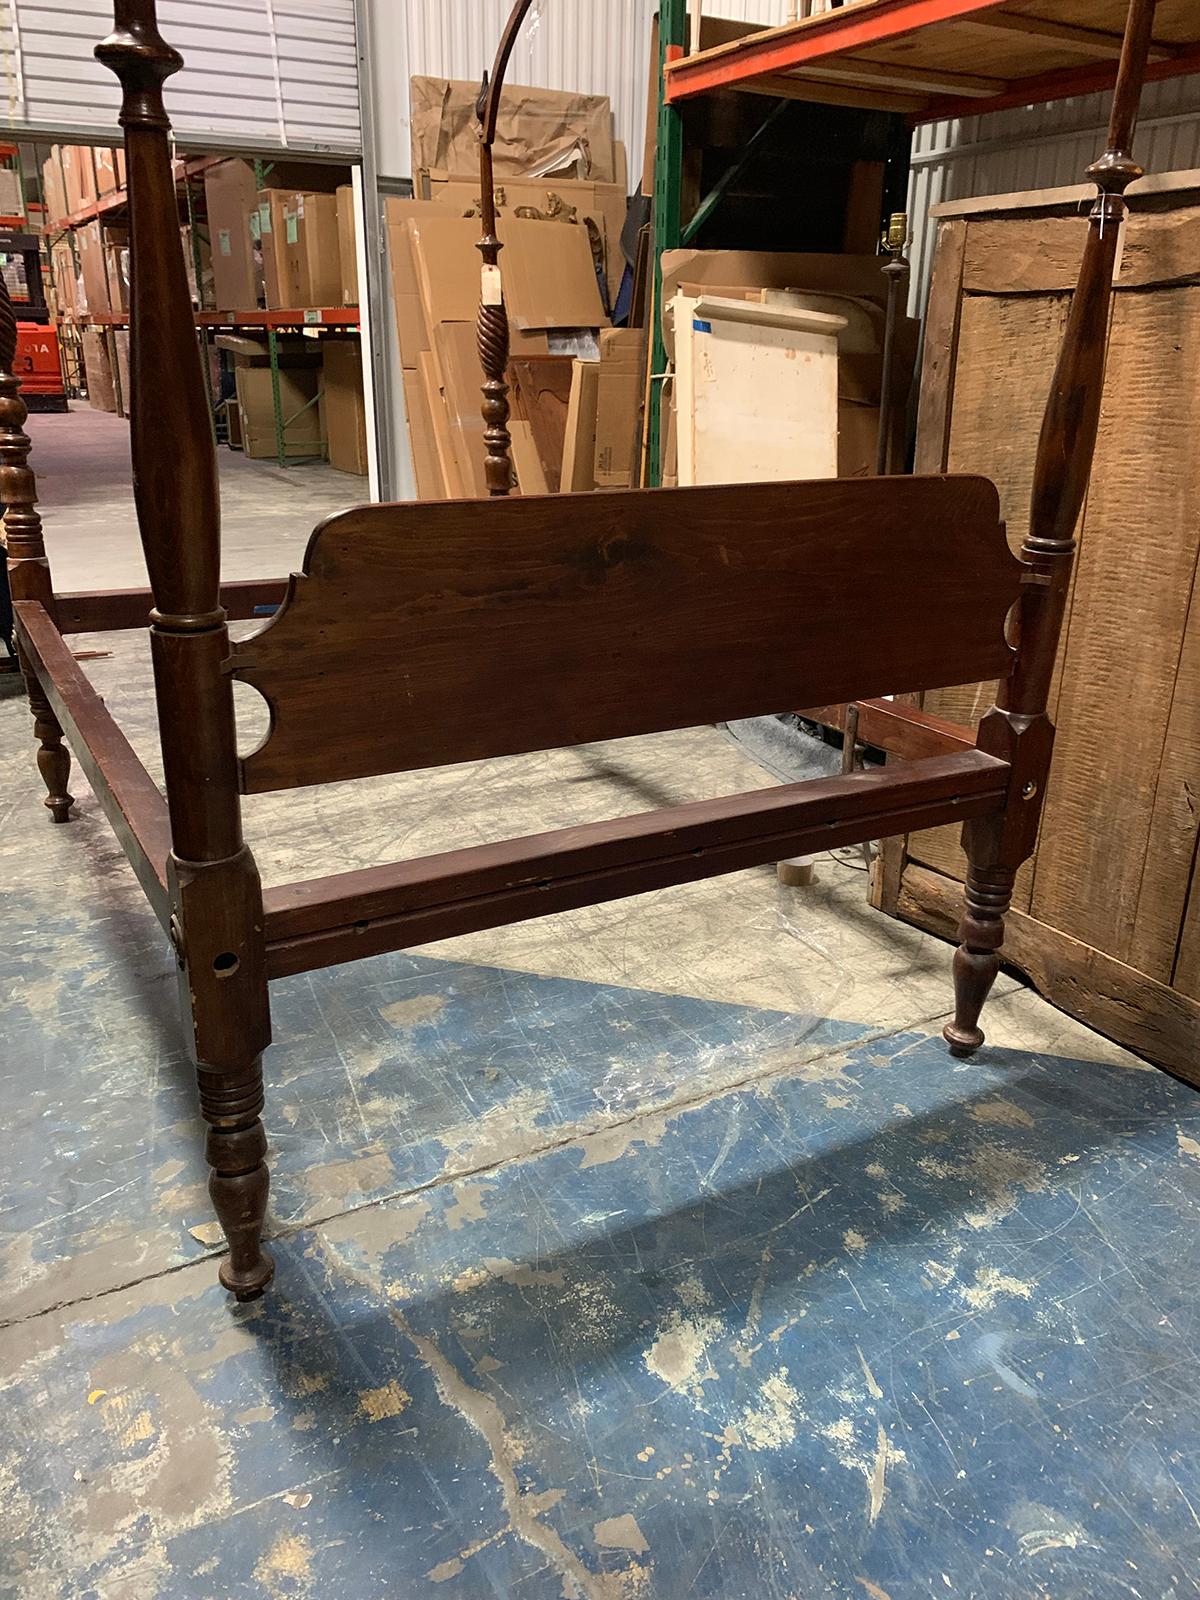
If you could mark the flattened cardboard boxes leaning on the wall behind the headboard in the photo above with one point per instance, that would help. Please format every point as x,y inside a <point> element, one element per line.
<point>561,196</point>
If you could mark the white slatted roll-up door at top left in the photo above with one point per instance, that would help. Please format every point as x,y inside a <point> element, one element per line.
<point>263,74</point>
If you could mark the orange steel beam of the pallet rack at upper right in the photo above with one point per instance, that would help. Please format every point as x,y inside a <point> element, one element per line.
<point>833,34</point>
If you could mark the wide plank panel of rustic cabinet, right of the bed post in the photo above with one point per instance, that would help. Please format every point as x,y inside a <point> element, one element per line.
<point>1134,585</point>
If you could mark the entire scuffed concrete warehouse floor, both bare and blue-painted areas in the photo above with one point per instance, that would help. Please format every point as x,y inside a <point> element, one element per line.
<point>657,1250</point>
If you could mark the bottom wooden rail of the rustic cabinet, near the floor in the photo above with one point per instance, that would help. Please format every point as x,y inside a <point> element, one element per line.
<point>1126,1006</point>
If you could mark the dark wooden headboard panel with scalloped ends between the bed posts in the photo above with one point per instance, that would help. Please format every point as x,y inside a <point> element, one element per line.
<point>428,634</point>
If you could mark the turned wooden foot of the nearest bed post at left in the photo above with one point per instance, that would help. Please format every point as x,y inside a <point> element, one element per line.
<point>238,1185</point>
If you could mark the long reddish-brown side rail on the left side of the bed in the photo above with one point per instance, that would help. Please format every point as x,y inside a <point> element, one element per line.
<point>126,791</point>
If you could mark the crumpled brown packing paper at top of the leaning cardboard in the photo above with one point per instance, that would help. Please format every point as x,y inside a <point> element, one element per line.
<point>538,132</point>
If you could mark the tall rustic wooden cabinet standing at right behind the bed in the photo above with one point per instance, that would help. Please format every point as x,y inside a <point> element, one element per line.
<point>1108,913</point>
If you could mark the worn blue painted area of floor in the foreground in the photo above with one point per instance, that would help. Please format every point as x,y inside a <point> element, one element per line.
<point>873,1326</point>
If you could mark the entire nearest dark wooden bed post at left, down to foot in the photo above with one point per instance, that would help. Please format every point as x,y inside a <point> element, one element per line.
<point>217,900</point>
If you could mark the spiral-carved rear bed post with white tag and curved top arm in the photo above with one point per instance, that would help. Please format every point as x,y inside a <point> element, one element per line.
<point>494,319</point>
